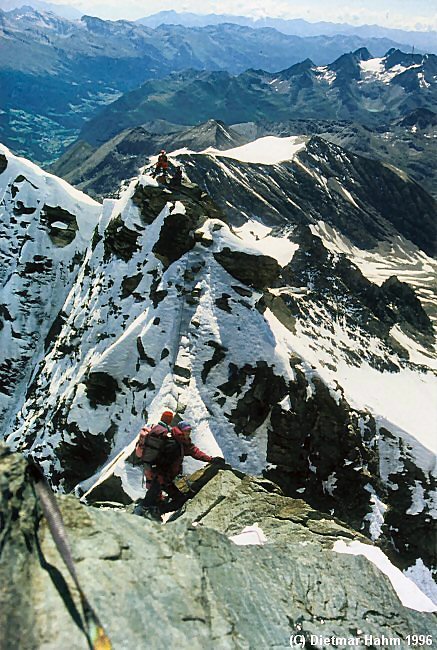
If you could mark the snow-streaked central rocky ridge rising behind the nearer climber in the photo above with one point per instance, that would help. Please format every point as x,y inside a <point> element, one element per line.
<point>249,314</point>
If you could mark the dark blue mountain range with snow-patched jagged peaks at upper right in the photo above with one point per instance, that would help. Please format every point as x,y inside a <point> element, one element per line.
<point>355,87</point>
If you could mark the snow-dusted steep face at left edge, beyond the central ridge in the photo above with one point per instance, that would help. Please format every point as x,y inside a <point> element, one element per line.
<point>45,229</point>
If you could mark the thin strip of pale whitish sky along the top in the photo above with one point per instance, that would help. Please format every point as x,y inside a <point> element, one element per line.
<point>405,14</point>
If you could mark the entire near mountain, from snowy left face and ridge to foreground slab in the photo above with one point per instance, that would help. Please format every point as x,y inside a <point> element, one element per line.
<point>283,301</point>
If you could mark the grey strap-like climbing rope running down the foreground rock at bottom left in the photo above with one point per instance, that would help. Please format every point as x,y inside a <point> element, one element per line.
<point>94,631</point>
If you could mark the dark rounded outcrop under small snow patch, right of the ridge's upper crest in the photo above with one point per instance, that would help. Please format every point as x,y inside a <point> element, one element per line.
<point>256,271</point>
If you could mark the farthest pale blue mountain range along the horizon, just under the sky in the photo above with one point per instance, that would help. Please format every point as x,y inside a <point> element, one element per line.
<point>426,41</point>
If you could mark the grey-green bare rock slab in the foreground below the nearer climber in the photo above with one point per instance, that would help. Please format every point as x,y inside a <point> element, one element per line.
<point>219,591</point>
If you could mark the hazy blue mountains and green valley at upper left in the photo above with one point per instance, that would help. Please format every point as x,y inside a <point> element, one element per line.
<point>55,73</point>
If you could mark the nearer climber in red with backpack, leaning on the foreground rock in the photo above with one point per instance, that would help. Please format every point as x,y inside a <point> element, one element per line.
<point>164,449</point>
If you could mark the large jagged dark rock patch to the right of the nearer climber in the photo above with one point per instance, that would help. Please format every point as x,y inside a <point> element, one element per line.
<point>321,437</point>
